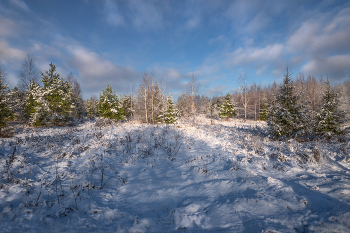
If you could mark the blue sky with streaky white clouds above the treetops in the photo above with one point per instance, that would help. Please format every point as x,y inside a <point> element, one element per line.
<point>115,42</point>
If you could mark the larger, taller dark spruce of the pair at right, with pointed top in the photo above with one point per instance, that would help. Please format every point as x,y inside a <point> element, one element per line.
<point>286,116</point>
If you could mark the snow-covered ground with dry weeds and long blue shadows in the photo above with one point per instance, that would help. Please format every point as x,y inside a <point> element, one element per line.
<point>127,177</point>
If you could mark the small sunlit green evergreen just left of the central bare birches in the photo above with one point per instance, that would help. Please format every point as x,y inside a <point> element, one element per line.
<point>109,106</point>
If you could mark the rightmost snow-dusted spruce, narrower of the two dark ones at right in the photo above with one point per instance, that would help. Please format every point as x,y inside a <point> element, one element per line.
<point>330,119</point>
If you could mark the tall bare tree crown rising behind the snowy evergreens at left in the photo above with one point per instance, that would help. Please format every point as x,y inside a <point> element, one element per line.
<point>27,73</point>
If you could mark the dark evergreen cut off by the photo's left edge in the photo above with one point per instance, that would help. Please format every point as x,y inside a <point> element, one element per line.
<point>5,112</point>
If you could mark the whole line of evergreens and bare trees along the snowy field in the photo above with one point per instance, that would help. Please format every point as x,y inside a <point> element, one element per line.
<point>56,100</point>
